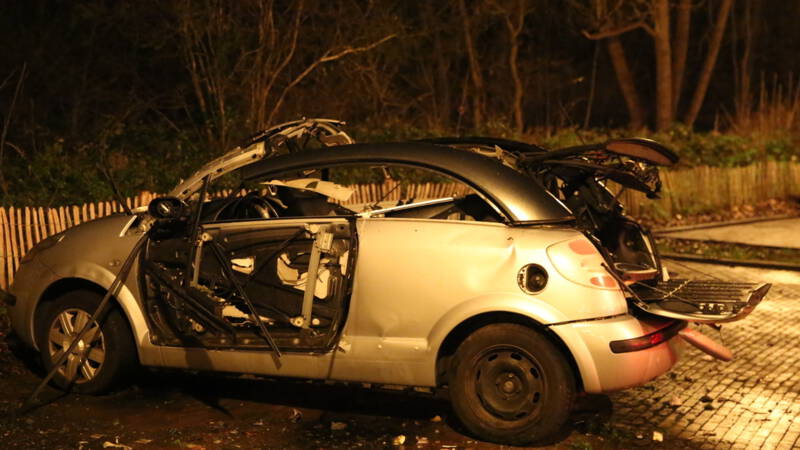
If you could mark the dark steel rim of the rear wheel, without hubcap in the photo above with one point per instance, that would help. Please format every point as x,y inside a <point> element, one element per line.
<point>509,383</point>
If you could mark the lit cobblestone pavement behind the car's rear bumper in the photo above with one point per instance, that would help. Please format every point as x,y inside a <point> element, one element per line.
<point>750,402</point>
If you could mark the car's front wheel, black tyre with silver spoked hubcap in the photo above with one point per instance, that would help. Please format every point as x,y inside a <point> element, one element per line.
<point>111,356</point>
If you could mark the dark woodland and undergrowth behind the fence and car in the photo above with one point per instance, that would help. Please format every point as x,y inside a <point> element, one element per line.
<point>152,89</point>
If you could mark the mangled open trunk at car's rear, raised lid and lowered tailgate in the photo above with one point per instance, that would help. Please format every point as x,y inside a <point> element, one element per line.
<point>578,177</point>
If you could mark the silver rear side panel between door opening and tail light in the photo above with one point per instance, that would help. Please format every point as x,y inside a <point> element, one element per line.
<point>416,280</point>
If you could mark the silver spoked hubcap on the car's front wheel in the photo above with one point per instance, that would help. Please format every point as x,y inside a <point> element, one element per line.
<point>91,349</point>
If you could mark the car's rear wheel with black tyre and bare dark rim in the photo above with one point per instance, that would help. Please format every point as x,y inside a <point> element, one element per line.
<point>509,384</point>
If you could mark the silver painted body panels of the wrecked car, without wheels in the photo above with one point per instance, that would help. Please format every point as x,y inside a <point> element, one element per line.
<point>415,282</point>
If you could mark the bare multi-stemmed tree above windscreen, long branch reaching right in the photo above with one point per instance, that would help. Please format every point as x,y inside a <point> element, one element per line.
<point>233,72</point>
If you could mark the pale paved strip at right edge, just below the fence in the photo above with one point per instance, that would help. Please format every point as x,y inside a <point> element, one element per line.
<point>778,233</point>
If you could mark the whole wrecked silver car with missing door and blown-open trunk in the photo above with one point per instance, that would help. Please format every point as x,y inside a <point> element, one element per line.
<point>526,287</point>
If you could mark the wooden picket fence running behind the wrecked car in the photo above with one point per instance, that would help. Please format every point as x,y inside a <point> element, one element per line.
<point>691,190</point>
